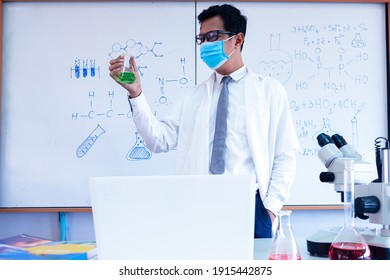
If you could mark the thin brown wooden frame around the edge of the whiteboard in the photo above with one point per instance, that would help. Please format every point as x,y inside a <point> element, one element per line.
<point>290,207</point>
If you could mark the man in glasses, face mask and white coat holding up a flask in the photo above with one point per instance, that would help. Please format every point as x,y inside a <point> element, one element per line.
<point>260,139</point>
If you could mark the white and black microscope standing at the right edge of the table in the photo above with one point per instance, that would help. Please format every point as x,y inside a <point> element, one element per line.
<point>372,197</point>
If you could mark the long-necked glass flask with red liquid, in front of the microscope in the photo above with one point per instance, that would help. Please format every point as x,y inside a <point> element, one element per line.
<point>349,244</point>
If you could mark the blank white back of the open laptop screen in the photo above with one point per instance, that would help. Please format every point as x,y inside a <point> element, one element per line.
<point>174,217</point>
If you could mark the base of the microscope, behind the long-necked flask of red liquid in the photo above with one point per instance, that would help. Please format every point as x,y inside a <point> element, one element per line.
<point>318,244</point>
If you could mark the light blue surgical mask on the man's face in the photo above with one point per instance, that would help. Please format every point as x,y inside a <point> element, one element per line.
<point>213,53</point>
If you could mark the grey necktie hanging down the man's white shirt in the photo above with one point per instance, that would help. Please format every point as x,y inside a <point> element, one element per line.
<point>217,165</point>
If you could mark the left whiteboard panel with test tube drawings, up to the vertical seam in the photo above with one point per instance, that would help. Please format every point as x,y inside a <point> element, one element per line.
<point>63,118</point>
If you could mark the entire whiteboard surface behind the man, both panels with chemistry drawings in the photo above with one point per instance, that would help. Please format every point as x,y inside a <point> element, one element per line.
<point>66,120</point>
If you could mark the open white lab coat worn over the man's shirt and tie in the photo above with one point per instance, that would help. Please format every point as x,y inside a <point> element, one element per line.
<point>270,131</point>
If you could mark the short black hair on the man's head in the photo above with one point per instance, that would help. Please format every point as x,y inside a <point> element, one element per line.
<point>232,18</point>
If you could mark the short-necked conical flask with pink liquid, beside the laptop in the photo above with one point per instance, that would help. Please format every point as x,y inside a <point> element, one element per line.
<point>284,246</point>
